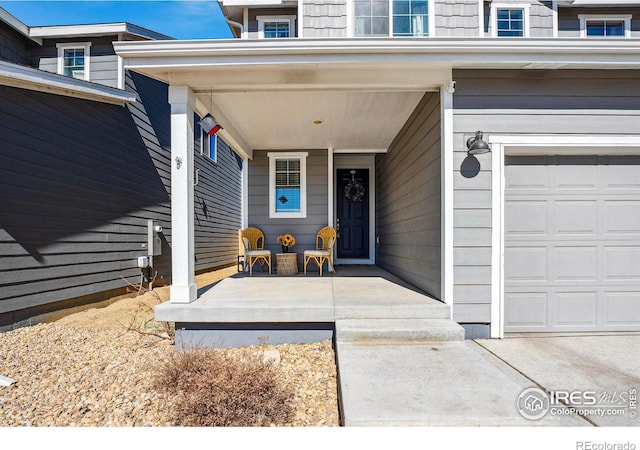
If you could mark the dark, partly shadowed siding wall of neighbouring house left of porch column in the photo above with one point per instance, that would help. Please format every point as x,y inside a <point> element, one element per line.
<point>77,190</point>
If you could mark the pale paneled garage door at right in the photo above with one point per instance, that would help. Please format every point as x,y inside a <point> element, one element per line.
<point>572,243</point>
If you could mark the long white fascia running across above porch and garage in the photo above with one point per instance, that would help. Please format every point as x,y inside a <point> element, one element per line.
<point>451,52</point>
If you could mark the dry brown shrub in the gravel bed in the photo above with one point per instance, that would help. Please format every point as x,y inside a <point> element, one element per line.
<point>212,389</point>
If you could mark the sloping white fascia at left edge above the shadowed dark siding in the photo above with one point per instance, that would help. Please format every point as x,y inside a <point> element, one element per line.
<point>38,80</point>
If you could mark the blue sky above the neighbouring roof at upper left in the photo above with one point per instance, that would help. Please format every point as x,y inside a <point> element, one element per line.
<point>181,19</point>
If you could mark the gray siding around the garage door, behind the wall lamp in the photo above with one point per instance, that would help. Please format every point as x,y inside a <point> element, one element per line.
<point>520,102</point>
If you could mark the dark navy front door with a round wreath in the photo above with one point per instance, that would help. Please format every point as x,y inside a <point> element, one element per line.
<point>352,221</point>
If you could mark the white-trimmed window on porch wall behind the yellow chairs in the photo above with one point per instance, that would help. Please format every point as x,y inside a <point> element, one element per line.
<point>288,185</point>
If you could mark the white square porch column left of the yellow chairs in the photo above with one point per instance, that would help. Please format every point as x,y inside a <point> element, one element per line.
<point>183,286</point>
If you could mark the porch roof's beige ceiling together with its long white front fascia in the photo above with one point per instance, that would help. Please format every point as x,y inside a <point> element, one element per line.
<point>266,93</point>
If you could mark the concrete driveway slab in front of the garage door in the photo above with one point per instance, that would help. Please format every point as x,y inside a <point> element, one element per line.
<point>598,375</point>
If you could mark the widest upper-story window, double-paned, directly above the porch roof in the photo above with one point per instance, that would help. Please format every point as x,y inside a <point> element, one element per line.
<point>391,17</point>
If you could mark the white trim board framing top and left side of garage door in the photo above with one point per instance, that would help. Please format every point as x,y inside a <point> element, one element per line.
<point>502,145</point>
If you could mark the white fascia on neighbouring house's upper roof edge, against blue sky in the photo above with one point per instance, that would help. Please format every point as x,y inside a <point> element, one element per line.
<point>99,29</point>
